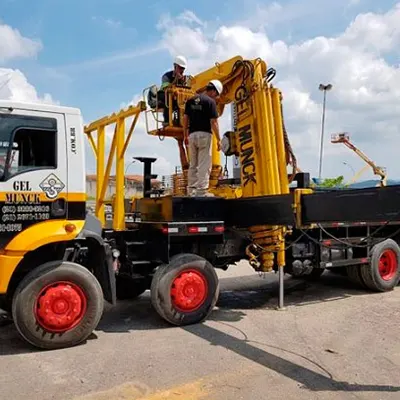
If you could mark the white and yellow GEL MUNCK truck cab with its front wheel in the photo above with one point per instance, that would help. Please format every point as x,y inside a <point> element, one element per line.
<point>44,227</point>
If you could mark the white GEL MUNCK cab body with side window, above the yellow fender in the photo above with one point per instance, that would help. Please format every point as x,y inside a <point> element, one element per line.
<point>42,166</point>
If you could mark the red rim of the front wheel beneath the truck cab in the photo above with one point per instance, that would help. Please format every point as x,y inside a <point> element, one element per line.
<point>60,307</point>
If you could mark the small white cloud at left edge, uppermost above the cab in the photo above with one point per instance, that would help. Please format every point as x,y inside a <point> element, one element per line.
<point>14,45</point>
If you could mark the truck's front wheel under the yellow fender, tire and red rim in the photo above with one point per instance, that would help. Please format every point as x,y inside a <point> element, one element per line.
<point>57,305</point>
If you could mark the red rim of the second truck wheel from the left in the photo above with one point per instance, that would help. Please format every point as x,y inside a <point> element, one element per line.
<point>189,290</point>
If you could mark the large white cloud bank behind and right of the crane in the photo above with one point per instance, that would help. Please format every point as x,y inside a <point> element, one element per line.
<point>366,87</point>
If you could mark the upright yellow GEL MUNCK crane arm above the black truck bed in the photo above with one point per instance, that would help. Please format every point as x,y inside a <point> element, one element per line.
<point>260,139</point>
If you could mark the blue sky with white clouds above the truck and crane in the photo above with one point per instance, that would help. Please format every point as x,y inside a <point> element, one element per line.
<point>99,55</point>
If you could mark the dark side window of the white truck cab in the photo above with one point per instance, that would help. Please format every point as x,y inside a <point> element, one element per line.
<point>28,143</point>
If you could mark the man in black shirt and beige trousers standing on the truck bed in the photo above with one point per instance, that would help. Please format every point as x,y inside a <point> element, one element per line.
<point>200,121</point>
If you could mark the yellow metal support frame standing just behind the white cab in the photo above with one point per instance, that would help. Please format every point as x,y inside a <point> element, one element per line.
<point>118,149</point>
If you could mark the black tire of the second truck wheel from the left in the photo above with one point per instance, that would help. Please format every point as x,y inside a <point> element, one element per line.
<point>163,280</point>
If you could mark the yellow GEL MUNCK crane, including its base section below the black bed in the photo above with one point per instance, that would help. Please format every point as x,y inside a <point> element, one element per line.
<point>259,140</point>
